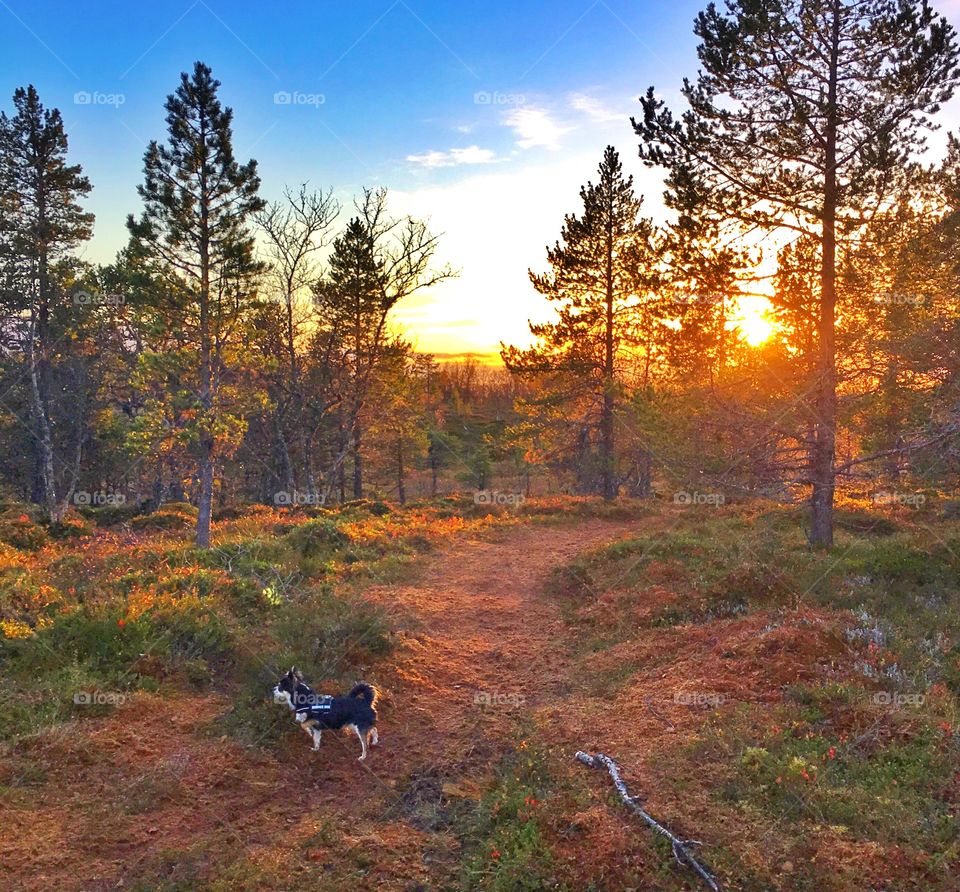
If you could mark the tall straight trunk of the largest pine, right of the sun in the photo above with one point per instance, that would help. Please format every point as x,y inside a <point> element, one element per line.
<point>824,445</point>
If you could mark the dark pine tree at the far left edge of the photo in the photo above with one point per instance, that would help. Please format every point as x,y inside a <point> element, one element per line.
<point>41,222</point>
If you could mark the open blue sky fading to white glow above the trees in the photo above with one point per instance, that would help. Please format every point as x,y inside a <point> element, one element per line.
<point>485,117</point>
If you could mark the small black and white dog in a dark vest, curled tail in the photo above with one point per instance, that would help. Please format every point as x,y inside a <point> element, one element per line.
<point>316,713</point>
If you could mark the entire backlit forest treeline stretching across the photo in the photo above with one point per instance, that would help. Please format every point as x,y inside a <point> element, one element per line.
<point>239,350</point>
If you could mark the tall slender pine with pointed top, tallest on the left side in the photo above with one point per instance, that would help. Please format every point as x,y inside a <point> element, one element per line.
<point>198,206</point>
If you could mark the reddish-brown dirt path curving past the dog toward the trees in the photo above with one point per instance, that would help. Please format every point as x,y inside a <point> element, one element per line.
<point>152,791</point>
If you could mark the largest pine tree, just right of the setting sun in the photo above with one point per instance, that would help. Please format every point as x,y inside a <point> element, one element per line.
<point>803,117</point>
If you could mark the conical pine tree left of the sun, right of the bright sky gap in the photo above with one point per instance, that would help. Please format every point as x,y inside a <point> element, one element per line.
<point>600,281</point>
